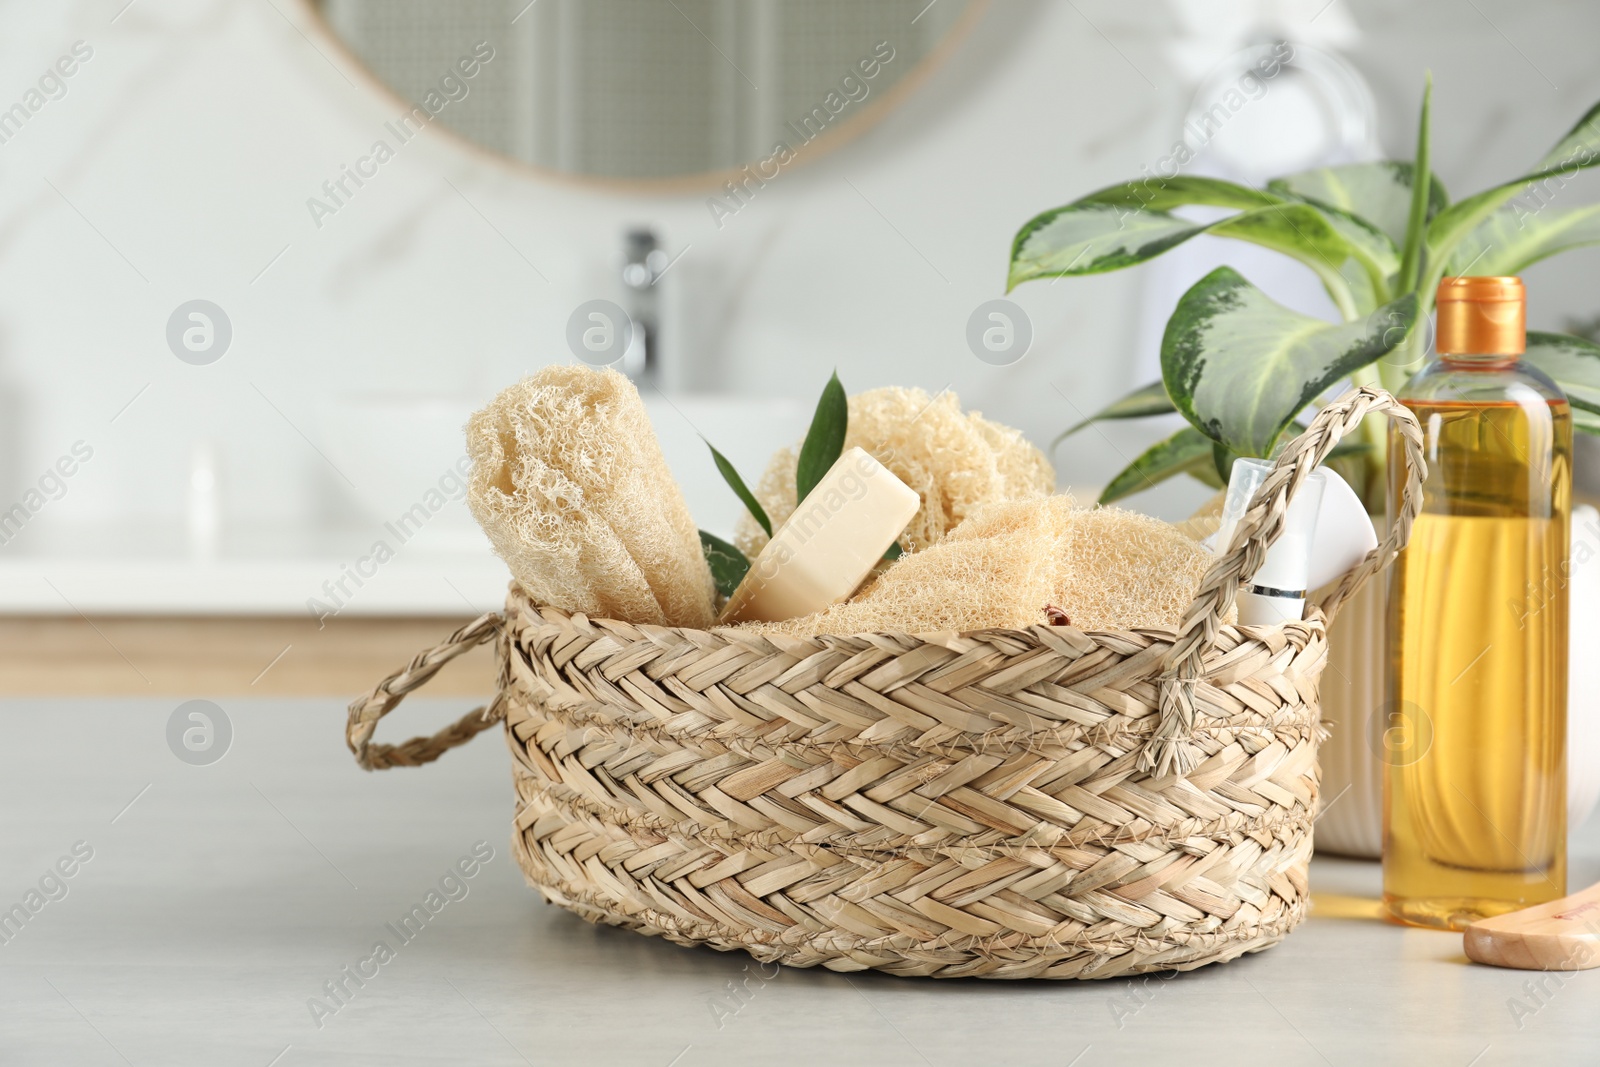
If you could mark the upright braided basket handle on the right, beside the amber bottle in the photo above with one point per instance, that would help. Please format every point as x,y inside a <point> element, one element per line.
<point>1172,748</point>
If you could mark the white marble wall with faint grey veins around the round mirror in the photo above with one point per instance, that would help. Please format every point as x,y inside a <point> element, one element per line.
<point>177,162</point>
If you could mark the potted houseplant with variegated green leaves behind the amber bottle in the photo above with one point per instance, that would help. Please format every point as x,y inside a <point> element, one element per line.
<point>1242,369</point>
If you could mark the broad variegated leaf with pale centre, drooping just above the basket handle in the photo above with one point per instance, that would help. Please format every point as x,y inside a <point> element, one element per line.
<point>1241,367</point>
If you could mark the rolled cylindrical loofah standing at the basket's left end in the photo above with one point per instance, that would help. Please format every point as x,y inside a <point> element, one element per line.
<point>572,489</point>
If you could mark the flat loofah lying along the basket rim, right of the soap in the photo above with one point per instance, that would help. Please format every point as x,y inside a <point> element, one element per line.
<point>1105,567</point>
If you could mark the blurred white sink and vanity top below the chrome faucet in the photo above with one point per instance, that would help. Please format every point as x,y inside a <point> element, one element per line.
<point>396,450</point>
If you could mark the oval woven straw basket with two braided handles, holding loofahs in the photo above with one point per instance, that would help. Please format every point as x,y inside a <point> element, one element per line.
<point>998,804</point>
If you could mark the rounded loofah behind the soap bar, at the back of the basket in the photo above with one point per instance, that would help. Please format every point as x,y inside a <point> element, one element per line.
<point>953,460</point>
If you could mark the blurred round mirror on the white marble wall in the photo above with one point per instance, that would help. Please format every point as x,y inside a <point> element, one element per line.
<point>649,90</point>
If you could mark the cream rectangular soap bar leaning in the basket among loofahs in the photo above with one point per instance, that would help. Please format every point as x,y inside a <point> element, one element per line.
<point>823,553</point>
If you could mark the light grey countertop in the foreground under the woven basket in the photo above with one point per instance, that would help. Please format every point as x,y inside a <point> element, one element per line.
<point>220,900</point>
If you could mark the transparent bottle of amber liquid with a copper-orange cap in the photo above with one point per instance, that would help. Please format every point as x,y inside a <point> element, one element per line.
<point>1476,725</point>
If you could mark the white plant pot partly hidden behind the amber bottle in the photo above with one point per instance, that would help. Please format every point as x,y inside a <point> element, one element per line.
<point>1353,689</point>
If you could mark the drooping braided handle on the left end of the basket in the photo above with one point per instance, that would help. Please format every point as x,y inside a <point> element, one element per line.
<point>383,700</point>
